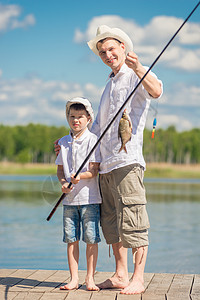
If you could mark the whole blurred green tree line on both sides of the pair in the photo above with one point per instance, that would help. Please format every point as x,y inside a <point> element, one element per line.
<point>34,143</point>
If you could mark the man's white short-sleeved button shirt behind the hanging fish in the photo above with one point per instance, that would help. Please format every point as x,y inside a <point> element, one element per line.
<point>115,94</point>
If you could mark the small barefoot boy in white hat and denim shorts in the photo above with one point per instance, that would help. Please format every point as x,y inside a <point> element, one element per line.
<point>82,201</point>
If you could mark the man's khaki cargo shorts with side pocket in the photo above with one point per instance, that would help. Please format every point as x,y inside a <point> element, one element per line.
<point>123,210</point>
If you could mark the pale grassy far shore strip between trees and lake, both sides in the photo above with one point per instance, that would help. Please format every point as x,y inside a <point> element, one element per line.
<point>154,170</point>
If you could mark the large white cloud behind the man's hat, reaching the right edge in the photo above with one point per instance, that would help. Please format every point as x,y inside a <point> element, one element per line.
<point>150,39</point>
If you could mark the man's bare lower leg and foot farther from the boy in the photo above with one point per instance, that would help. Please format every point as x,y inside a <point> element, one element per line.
<point>136,285</point>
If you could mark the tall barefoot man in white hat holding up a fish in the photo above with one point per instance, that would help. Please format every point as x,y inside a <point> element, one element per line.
<point>124,218</point>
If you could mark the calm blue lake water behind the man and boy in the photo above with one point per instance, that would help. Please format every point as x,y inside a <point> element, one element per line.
<point>27,240</point>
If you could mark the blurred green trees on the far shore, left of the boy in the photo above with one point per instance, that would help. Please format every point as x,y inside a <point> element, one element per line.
<point>32,143</point>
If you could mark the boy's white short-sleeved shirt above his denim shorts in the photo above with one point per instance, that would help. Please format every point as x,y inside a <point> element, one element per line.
<point>72,154</point>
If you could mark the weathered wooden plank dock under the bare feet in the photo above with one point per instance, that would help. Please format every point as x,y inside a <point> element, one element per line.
<point>44,285</point>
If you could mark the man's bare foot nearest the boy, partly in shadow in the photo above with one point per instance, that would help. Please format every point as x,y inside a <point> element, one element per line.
<point>114,282</point>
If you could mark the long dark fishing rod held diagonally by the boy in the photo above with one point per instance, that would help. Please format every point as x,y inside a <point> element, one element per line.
<point>118,112</point>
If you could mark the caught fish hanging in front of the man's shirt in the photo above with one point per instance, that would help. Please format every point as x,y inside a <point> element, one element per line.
<point>124,130</point>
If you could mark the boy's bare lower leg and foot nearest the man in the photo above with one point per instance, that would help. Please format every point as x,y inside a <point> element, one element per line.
<point>91,255</point>
